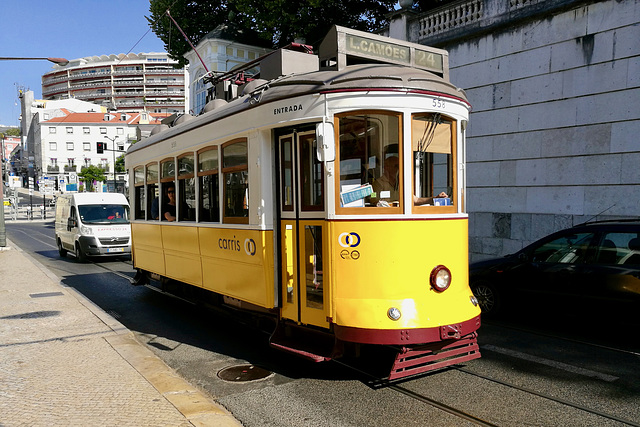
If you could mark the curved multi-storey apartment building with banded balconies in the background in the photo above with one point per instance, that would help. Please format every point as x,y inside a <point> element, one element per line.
<point>129,83</point>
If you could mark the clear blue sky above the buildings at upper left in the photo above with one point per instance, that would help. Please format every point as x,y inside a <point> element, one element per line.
<point>68,29</point>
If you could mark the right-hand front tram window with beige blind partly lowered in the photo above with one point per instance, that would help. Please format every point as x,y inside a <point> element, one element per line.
<point>432,145</point>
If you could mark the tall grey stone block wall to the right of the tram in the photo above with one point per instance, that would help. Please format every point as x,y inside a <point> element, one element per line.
<point>554,136</point>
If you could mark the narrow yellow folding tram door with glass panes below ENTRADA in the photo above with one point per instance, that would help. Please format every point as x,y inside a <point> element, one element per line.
<point>302,230</point>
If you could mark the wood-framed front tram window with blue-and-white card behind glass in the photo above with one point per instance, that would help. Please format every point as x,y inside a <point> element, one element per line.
<point>370,166</point>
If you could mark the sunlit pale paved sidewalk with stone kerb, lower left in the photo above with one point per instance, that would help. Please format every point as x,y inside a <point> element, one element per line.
<point>65,362</point>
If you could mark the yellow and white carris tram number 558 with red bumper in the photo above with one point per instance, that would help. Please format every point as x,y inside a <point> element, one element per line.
<point>329,194</point>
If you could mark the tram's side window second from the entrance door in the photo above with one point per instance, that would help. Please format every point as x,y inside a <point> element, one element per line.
<point>208,184</point>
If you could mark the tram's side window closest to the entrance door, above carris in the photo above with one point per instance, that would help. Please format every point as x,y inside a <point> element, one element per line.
<point>235,169</point>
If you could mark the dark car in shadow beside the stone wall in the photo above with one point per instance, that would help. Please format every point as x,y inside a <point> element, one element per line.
<point>596,262</point>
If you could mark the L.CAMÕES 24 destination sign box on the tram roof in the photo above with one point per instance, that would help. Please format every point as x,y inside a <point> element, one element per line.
<point>342,45</point>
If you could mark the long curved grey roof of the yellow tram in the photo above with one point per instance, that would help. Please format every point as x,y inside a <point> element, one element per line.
<point>352,78</point>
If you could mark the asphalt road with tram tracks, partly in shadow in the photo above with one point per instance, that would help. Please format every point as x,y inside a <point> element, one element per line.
<point>563,371</point>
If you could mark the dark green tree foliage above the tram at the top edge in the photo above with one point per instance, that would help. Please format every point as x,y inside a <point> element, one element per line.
<point>268,23</point>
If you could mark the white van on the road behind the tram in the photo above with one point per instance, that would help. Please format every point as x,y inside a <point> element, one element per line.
<point>90,224</point>
